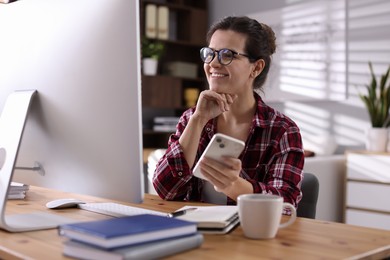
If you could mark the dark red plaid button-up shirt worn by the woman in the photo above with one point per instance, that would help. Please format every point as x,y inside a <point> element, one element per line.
<point>272,160</point>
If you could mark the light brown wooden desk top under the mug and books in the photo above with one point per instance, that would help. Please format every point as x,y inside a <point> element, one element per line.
<point>305,239</point>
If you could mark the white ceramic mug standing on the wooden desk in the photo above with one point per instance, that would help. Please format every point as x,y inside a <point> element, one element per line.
<point>260,215</point>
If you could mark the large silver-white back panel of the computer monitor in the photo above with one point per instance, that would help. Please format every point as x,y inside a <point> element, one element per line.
<point>84,125</point>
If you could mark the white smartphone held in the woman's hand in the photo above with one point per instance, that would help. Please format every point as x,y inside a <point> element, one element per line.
<point>219,146</point>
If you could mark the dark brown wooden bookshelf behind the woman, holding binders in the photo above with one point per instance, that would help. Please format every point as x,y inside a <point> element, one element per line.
<point>188,24</point>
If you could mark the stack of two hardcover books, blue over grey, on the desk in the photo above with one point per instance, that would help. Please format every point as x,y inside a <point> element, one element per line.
<point>133,237</point>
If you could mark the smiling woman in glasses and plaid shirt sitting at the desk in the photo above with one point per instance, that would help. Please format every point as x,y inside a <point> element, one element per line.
<point>236,62</point>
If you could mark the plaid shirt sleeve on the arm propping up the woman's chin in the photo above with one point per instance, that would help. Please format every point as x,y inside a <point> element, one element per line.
<point>173,179</point>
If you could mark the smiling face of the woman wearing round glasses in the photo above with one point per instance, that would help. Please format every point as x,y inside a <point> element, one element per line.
<point>235,77</point>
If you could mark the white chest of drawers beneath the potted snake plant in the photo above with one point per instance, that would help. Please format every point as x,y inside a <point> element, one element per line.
<point>367,187</point>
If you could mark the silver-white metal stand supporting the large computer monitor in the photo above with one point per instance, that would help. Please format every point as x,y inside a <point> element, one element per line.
<point>12,122</point>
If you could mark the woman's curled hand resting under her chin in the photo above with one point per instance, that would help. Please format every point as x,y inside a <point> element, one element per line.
<point>211,104</point>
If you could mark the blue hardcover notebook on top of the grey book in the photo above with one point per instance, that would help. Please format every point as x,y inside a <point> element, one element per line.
<point>117,232</point>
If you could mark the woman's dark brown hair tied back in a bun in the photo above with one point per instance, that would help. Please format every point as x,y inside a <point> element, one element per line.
<point>260,42</point>
